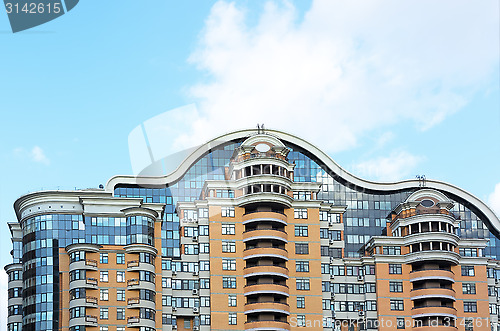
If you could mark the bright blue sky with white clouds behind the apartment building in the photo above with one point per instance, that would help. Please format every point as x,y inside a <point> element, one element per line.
<point>389,89</point>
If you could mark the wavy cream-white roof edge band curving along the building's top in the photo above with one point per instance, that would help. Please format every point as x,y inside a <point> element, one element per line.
<point>325,160</point>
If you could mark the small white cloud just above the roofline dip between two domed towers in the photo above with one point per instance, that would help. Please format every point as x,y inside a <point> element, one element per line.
<point>397,166</point>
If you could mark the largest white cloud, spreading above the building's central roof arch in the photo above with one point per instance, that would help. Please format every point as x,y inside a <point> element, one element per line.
<point>347,68</point>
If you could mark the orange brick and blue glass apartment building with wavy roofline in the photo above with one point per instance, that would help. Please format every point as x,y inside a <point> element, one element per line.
<point>254,231</point>
